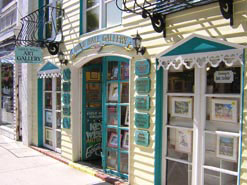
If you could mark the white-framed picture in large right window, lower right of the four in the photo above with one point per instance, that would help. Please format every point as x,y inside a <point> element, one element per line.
<point>227,147</point>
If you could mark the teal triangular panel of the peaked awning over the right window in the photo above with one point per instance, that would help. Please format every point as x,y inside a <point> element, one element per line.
<point>198,45</point>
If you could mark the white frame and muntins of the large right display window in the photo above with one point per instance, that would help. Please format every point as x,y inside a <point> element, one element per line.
<point>199,125</point>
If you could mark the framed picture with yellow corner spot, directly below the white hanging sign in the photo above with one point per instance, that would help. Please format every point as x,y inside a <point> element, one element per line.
<point>224,110</point>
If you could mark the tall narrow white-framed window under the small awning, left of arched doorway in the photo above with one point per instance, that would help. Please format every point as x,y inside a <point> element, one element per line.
<point>52,113</point>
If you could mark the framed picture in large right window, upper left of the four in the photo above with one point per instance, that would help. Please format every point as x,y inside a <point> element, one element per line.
<point>181,107</point>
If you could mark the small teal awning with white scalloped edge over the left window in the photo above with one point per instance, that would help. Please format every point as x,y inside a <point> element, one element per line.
<point>49,70</point>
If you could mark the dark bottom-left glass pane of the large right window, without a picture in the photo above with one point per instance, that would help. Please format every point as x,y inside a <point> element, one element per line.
<point>178,173</point>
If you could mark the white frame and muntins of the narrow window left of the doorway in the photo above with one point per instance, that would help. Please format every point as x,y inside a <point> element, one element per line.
<point>54,112</point>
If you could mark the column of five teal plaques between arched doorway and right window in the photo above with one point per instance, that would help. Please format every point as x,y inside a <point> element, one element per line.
<point>142,102</point>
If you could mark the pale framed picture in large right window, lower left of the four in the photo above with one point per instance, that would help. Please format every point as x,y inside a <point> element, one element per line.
<point>183,140</point>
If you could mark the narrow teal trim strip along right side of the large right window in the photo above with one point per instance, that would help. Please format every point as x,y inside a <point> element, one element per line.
<point>241,118</point>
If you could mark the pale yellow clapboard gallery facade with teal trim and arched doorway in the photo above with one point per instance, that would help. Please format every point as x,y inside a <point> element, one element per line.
<point>177,108</point>
